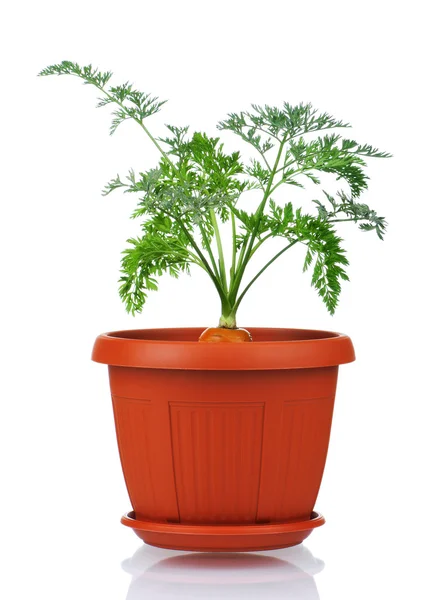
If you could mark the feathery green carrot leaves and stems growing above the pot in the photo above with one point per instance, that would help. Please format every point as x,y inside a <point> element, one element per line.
<point>197,186</point>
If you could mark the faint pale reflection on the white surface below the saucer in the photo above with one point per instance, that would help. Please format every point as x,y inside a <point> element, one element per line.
<point>161,574</point>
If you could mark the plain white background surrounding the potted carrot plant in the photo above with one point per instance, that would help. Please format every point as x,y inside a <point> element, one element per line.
<point>375,64</point>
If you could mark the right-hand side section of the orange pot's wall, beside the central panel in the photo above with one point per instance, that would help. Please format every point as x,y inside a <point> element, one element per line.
<point>295,443</point>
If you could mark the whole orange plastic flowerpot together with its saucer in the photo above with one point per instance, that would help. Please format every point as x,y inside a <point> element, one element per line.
<point>223,446</point>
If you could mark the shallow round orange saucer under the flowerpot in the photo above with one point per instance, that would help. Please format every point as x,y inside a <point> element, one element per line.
<point>223,538</point>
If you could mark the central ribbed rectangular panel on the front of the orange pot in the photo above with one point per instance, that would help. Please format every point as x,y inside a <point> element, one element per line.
<point>216,467</point>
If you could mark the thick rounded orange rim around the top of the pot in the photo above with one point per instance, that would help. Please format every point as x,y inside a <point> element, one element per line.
<point>272,349</point>
